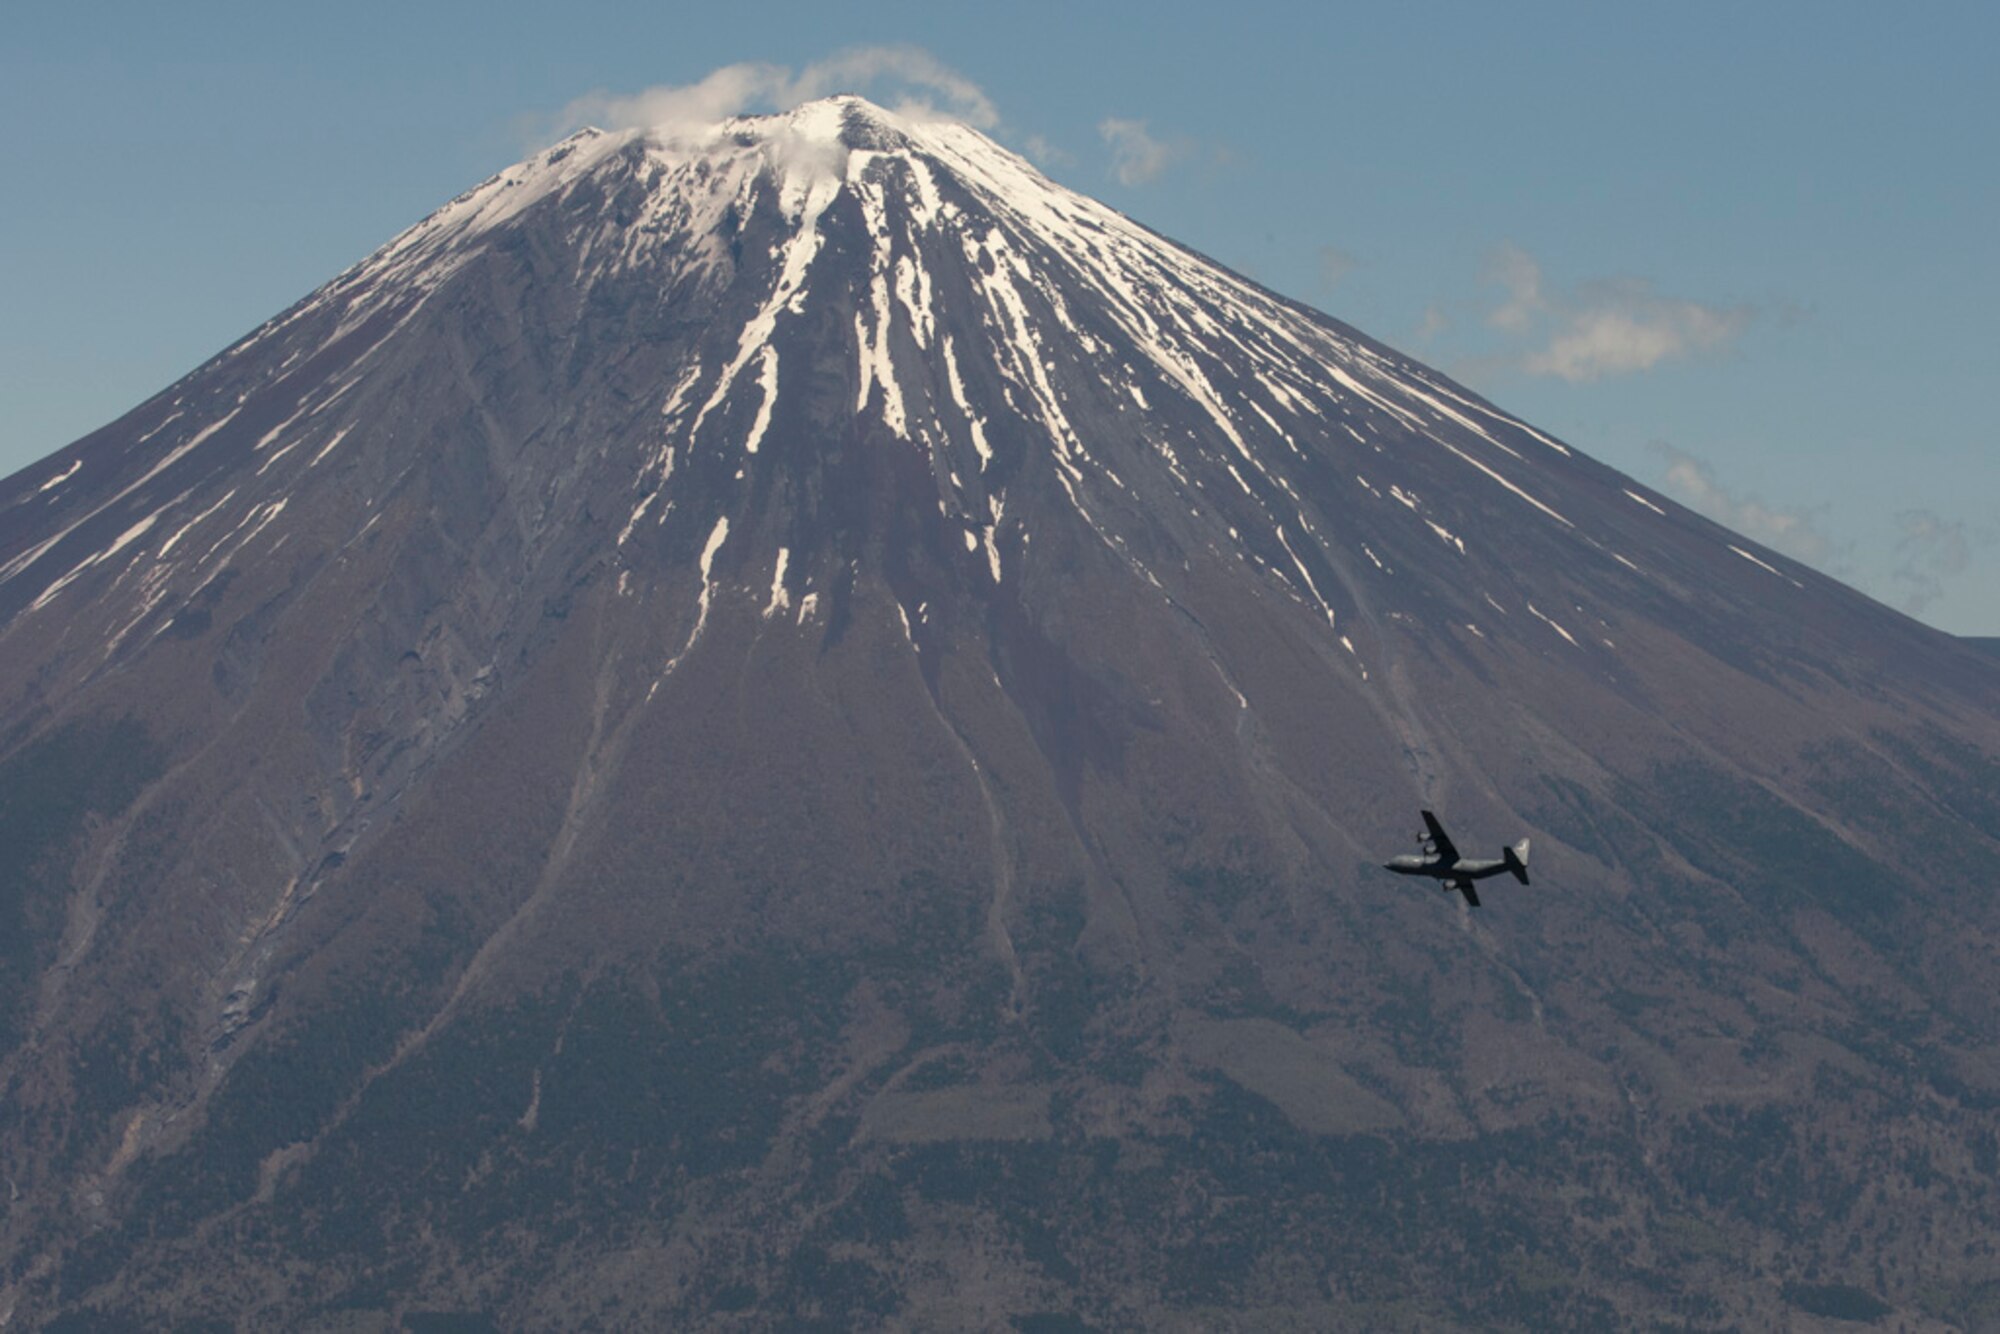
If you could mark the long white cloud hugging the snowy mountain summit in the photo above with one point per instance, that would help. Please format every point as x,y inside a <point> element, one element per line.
<point>923,87</point>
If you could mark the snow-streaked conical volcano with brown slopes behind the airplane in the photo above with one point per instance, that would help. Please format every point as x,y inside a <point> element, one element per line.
<point>793,725</point>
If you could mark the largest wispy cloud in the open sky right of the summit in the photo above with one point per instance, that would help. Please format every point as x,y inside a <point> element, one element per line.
<point>1611,327</point>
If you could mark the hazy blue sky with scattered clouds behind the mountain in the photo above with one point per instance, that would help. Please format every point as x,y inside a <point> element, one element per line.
<point>1743,253</point>
